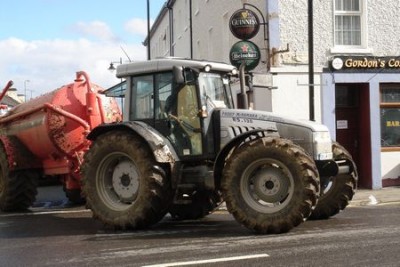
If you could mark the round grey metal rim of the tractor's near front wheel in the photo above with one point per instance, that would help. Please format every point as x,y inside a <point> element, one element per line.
<point>267,185</point>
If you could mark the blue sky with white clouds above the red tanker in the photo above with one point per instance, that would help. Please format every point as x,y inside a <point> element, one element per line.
<point>43,43</point>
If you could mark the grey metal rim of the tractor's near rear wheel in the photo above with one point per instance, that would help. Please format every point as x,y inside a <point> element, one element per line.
<point>118,181</point>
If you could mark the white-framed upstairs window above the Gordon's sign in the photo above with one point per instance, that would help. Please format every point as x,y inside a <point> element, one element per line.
<point>349,23</point>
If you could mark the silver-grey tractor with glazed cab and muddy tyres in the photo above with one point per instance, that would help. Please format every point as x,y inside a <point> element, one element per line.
<point>183,148</point>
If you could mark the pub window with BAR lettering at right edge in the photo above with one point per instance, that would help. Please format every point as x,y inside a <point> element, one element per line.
<point>390,116</point>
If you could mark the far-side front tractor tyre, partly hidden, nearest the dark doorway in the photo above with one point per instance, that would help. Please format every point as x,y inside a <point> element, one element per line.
<point>340,189</point>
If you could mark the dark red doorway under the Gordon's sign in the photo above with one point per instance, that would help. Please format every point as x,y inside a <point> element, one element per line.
<point>353,127</point>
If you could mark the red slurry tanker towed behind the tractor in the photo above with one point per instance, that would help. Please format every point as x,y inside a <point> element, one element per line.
<point>47,137</point>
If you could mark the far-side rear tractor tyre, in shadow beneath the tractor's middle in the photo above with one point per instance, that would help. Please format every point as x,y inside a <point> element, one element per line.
<point>203,203</point>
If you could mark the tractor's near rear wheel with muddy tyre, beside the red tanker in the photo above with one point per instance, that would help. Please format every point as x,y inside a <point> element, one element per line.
<point>121,185</point>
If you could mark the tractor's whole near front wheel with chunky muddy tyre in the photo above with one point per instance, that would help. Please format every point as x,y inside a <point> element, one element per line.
<point>270,185</point>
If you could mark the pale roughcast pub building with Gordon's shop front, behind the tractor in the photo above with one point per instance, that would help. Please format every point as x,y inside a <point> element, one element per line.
<point>356,66</point>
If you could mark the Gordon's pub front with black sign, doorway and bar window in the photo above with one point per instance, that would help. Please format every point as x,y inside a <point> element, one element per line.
<point>361,107</point>
